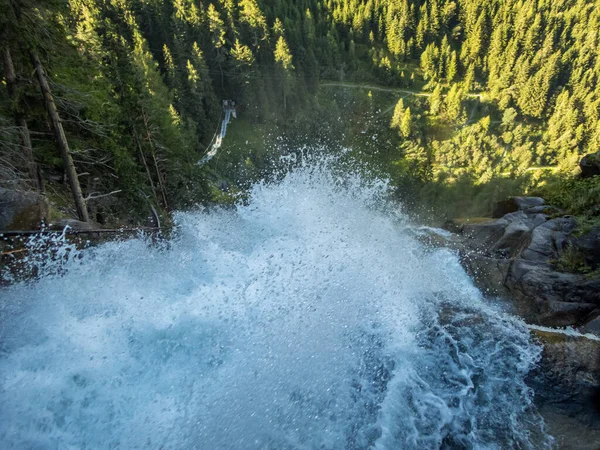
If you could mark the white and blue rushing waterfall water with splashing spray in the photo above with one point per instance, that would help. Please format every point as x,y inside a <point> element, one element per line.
<point>308,319</point>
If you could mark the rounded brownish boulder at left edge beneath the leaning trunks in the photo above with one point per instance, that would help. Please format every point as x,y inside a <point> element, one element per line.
<point>21,210</point>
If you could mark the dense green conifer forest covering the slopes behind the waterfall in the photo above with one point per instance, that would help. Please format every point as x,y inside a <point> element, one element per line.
<point>506,88</point>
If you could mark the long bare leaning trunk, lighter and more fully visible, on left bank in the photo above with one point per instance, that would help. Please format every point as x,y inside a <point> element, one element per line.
<point>61,139</point>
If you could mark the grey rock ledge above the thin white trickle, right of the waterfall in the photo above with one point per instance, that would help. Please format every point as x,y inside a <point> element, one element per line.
<point>531,254</point>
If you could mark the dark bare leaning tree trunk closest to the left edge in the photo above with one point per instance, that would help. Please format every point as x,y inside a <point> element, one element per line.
<point>11,83</point>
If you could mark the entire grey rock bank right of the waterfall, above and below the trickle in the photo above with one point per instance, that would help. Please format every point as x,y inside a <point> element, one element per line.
<point>538,259</point>
